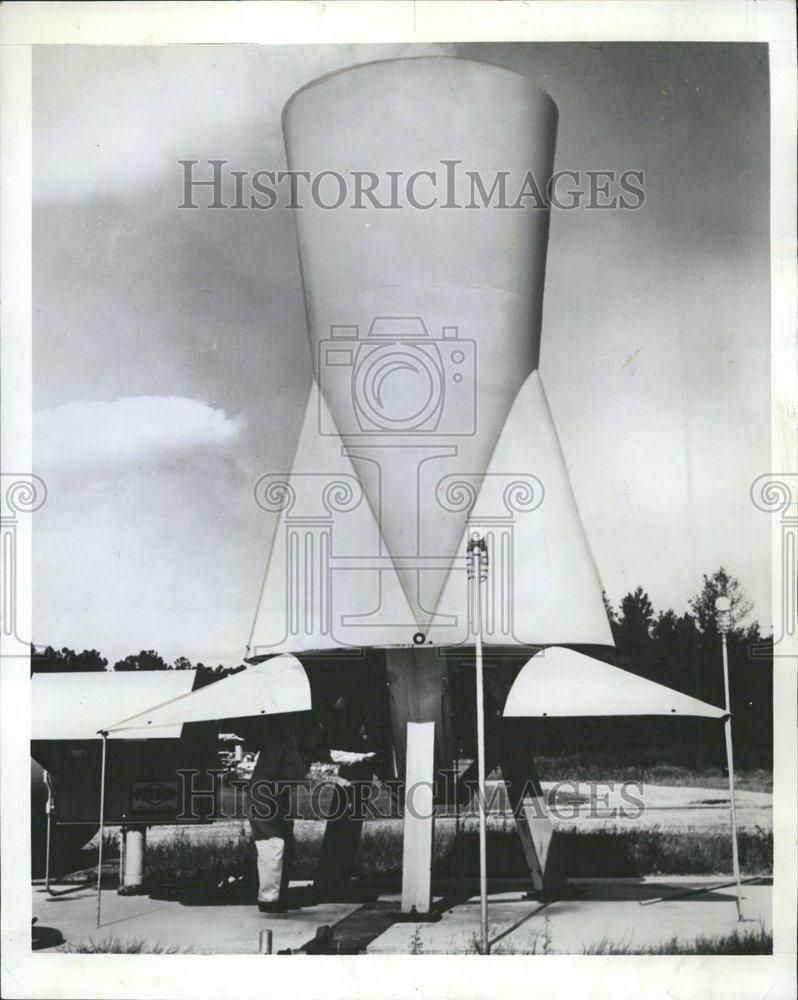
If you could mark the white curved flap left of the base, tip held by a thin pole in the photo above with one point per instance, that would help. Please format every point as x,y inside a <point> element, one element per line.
<point>277,685</point>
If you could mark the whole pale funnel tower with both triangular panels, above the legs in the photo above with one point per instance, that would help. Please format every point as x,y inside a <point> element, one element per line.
<point>428,410</point>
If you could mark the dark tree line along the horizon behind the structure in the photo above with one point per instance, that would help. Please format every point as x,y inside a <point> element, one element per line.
<point>682,651</point>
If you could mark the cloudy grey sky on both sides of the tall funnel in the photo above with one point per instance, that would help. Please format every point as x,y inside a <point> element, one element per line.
<point>171,359</point>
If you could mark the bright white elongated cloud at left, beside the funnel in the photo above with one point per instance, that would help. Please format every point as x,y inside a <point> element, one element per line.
<point>130,431</point>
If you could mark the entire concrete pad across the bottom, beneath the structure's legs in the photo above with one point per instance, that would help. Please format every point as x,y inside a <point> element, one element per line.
<point>603,910</point>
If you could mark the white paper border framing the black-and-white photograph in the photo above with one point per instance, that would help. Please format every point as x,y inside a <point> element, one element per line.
<point>24,25</point>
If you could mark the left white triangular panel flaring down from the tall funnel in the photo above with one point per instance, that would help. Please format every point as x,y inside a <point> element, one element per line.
<point>319,592</point>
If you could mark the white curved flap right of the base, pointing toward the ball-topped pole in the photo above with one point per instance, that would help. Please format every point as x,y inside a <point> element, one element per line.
<point>563,682</point>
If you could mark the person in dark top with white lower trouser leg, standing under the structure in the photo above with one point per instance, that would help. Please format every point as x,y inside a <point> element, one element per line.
<point>289,744</point>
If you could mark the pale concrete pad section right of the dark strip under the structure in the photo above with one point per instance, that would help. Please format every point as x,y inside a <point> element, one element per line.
<point>608,911</point>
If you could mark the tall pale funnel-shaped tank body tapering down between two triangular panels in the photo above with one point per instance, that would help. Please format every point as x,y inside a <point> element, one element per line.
<point>423,286</point>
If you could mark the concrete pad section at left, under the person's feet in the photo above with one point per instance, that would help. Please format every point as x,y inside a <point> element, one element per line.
<point>207,929</point>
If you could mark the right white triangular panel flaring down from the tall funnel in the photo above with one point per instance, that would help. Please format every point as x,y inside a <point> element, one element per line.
<point>542,585</point>
